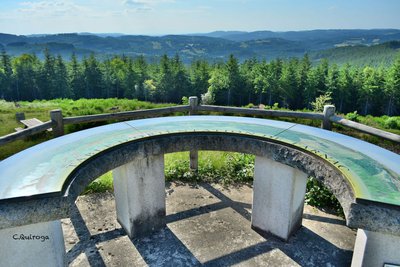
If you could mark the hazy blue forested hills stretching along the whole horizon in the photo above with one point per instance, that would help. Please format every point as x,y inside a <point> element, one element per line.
<point>357,46</point>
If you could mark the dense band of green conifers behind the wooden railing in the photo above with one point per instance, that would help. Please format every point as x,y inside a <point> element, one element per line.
<point>293,83</point>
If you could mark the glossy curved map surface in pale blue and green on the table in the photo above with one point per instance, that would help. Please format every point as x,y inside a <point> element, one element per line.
<point>373,172</point>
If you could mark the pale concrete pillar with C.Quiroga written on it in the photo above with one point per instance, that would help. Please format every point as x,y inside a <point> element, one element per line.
<point>40,244</point>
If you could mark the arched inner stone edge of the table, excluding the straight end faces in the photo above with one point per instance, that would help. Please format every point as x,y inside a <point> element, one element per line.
<point>301,160</point>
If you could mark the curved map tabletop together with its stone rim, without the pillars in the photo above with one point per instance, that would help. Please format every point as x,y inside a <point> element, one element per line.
<point>364,177</point>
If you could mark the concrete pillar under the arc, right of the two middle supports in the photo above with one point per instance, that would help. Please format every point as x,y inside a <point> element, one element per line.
<point>278,198</point>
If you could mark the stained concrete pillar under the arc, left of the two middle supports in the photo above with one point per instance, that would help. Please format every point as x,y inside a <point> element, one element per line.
<point>139,189</point>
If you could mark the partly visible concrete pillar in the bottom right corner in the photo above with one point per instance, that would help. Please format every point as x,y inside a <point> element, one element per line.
<point>375,249</point>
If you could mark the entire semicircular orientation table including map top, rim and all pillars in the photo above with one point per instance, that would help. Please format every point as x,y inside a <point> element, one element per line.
<point>38,186</point>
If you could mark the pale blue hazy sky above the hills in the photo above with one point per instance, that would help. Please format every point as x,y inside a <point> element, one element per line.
<point>192,16</point>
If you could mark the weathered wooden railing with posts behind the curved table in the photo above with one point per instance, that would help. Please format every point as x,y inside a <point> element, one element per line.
<point>328,117</point>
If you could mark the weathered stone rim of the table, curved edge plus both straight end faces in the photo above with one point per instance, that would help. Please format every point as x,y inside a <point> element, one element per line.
<point>358,215</point>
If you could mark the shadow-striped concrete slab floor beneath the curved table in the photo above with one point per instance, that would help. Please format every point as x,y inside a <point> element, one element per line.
<point>207,224</point>
